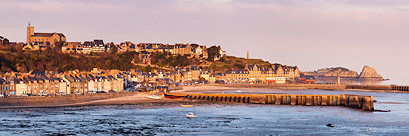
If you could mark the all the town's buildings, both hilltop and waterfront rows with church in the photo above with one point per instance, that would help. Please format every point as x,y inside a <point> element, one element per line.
<point>112,80</point>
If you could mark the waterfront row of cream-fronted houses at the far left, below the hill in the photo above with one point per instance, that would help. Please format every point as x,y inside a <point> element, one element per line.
<point>46,83</point>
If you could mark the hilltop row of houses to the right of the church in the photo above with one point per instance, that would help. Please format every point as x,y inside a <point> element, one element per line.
<point>98,46</point>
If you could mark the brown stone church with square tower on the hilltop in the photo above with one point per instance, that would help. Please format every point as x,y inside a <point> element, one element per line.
<point>43,38</point>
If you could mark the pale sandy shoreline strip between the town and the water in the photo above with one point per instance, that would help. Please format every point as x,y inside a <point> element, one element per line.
<point>140,97</point>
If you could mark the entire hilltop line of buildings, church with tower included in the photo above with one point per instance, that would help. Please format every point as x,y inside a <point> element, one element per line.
<point>41,41</point>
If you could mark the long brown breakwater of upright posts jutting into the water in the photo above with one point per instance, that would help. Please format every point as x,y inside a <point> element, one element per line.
<point>353,101</point>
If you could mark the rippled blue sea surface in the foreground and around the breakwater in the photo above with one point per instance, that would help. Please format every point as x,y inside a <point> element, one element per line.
<point>228,119</point>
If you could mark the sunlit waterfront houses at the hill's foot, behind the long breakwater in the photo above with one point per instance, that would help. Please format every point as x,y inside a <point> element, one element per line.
<point>251,74</point>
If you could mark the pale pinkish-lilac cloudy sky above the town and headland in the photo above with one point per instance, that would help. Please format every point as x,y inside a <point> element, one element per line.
<point>310,34</point>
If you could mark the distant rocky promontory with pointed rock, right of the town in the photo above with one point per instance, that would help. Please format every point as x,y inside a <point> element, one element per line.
<point>367,73</point>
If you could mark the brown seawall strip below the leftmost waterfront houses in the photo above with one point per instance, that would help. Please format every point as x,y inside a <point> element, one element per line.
<point>57,100</point>
